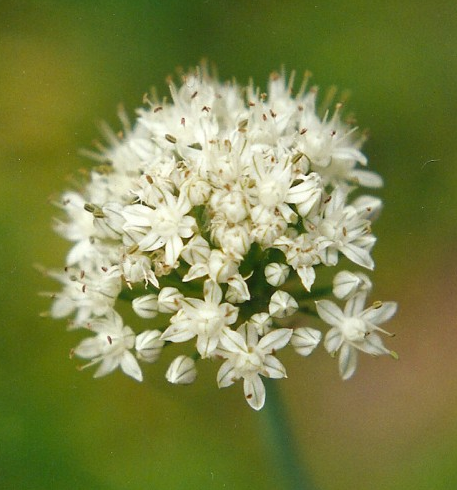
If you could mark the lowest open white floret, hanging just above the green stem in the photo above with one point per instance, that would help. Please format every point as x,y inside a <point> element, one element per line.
<point>247,357</point>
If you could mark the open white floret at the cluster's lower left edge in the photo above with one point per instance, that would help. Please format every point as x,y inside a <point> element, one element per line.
<point>110,347</point>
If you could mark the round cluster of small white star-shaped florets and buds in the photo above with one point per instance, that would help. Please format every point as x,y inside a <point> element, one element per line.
<point>217,209</point>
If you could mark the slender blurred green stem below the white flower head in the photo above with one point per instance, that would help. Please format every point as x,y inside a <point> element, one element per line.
<point>281,440</point>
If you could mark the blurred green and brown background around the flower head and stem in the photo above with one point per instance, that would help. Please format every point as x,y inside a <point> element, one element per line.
<point>64,65</point>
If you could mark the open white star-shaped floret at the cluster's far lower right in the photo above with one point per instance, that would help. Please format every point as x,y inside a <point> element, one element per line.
<point>355,329</point>
